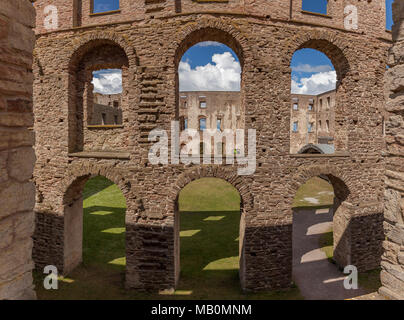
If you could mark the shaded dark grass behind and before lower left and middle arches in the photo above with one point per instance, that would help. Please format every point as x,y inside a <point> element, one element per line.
<point>209,260</point>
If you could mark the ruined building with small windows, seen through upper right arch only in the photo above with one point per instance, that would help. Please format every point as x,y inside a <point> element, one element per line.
<point>312,123</point>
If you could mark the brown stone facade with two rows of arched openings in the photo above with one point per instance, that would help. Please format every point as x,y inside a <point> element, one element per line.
<point>146,40</point>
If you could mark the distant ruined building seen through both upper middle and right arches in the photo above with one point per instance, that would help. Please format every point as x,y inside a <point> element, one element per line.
<point>312,118</point>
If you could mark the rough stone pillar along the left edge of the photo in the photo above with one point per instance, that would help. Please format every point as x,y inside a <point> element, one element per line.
<point>17,157</point>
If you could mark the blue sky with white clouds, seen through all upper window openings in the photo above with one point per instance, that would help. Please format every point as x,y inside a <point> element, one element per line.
<point>214,66</point>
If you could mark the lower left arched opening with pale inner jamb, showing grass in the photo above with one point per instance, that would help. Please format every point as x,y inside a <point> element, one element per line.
<point>94,228</point>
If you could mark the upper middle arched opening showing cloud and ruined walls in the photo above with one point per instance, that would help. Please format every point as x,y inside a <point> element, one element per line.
<point>209,89</point>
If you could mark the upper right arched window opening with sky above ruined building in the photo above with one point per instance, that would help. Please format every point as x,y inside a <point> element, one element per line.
<point>313,95</point>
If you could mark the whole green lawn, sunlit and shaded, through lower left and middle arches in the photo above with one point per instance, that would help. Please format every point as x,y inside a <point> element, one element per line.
<point>210,217</point>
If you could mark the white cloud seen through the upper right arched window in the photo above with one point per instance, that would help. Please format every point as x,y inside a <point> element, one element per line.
<point>315,84</point>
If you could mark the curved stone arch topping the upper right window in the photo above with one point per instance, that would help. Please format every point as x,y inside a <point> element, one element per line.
<point>332,47</point>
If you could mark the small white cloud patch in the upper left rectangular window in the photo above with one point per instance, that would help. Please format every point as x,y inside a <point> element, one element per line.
<point>108,81</point>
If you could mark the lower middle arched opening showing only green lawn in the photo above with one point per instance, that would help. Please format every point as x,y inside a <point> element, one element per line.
<point>208,235</point>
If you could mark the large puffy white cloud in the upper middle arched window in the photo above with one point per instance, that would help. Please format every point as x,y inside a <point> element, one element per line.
<point>222,75</point>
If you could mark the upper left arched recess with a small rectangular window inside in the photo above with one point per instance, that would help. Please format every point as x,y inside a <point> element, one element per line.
<point>98,97</point>
